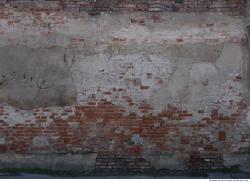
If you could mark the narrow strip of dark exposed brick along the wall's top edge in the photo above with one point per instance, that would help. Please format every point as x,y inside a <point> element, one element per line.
<point>95,7</point>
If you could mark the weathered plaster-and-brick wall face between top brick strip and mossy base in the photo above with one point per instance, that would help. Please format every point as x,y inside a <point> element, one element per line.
<point>124,92</point>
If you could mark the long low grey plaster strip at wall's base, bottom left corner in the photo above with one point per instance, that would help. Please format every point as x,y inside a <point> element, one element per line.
<point>55,162</point>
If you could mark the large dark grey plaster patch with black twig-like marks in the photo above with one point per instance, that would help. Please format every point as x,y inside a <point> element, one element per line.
<point>35,77</point>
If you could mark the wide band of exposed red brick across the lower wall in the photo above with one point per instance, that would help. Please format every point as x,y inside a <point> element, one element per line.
<point>103,128</point>
